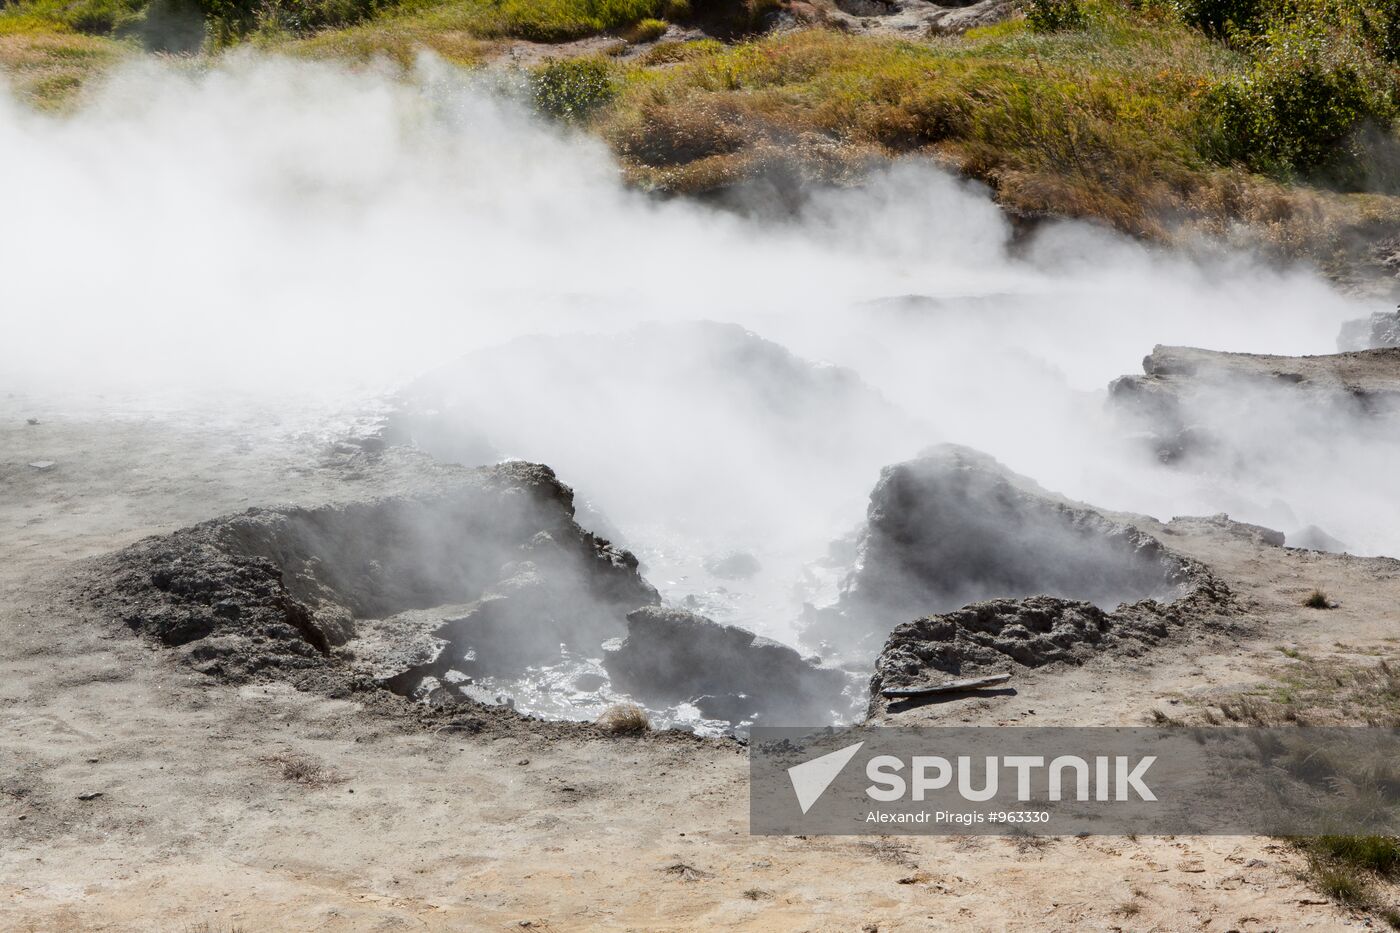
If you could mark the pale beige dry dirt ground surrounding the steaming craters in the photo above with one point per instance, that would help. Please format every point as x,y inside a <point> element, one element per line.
<point>201,823</point>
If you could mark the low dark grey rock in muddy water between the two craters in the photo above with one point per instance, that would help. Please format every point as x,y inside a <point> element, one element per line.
<point>674,656</point>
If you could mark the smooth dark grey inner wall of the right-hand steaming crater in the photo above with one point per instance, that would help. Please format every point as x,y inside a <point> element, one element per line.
<point>955,526</point>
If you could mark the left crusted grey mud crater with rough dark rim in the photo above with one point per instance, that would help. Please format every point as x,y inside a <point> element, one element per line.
<point>351,590</point>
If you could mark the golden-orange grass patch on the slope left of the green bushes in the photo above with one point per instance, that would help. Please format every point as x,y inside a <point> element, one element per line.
<point>1097,123</point>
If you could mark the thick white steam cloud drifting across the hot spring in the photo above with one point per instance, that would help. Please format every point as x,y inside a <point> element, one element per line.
<point>282,230</point>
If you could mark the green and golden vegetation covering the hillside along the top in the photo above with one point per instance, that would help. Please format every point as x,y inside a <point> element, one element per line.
<point>1156,117</point>
